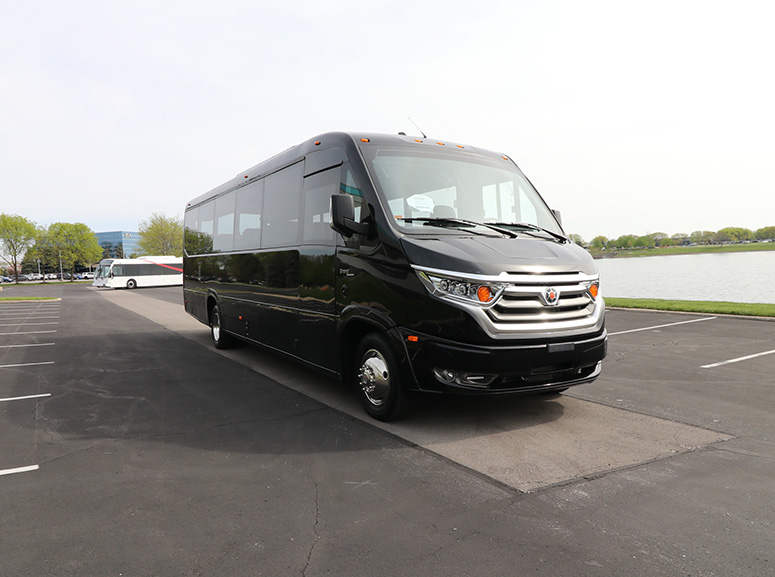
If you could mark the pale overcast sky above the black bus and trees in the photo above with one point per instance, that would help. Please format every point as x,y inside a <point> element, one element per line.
<point>629,117</point>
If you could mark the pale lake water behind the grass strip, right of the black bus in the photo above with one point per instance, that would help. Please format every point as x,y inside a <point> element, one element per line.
<point>743,277</point>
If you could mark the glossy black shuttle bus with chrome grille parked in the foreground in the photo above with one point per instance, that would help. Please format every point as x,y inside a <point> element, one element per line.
<point>403,265</point>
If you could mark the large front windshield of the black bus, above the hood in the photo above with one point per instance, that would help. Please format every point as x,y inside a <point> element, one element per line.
<point>421,188</point>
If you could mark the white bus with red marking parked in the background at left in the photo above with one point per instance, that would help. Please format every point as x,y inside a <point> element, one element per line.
<point>146,271</point>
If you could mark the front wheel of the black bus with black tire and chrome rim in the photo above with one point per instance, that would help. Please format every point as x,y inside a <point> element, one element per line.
<point>378,380</point>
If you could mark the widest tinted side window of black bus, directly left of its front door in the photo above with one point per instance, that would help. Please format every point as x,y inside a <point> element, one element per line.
<point>282,192</point>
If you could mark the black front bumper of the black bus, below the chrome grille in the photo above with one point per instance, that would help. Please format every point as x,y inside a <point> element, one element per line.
<point>435,365</point>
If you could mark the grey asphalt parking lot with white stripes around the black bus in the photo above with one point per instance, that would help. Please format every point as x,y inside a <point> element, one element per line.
<point>131,447</point>
